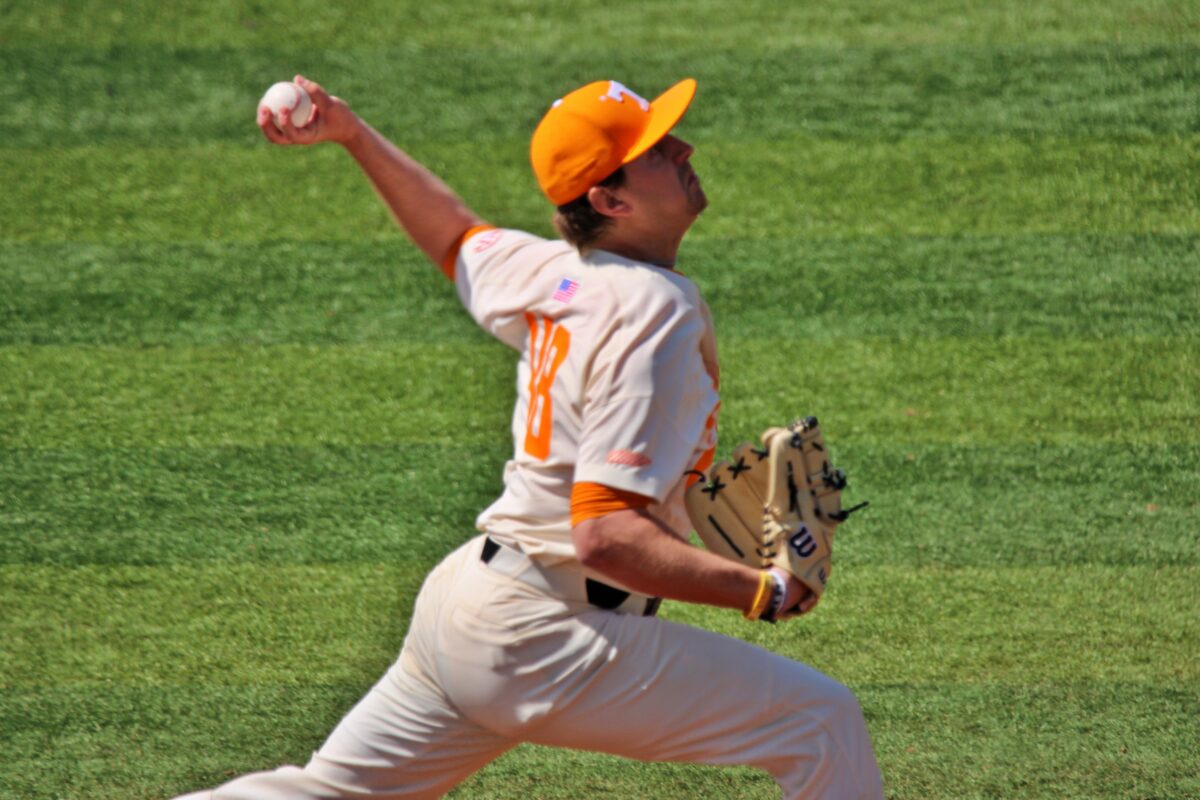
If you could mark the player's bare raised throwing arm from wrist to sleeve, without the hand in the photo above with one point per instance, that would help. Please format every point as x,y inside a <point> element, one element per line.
<point>429,212</point>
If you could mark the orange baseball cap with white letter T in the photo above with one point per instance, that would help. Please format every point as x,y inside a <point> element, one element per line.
<point>592,133</point>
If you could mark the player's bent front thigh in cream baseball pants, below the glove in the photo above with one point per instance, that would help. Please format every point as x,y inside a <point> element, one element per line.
<point>674,693</point>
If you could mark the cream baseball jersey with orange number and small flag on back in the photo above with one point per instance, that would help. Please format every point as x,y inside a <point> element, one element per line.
<point>616,381</point>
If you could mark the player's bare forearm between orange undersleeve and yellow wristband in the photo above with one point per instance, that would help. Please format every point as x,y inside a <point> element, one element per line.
<point>638,551</point>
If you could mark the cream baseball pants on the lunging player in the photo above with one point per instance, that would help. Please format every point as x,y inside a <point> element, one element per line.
<point>491,661</point>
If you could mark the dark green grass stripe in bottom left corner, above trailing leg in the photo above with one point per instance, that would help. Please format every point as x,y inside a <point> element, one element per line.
<point>59,742</point>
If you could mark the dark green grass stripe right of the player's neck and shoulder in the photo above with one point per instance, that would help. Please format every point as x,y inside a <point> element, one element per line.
<point>1024,286</point>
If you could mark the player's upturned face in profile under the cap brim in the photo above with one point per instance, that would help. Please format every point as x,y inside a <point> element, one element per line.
<point>663,183</point>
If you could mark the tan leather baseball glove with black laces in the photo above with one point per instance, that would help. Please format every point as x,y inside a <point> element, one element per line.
<point>775,507</point>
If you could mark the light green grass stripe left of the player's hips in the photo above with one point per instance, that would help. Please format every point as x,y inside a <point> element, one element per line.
<point>229,625</point>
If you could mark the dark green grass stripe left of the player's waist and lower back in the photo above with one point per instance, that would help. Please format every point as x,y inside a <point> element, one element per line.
<point>283,506</point>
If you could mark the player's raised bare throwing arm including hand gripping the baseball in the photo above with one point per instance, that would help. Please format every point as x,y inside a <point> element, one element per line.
<point>429,212</point>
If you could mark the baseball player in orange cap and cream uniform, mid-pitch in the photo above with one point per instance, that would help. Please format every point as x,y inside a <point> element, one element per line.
<point>543,629</point>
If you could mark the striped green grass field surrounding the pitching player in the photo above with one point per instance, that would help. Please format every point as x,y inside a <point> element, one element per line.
<point>241,418</point>
